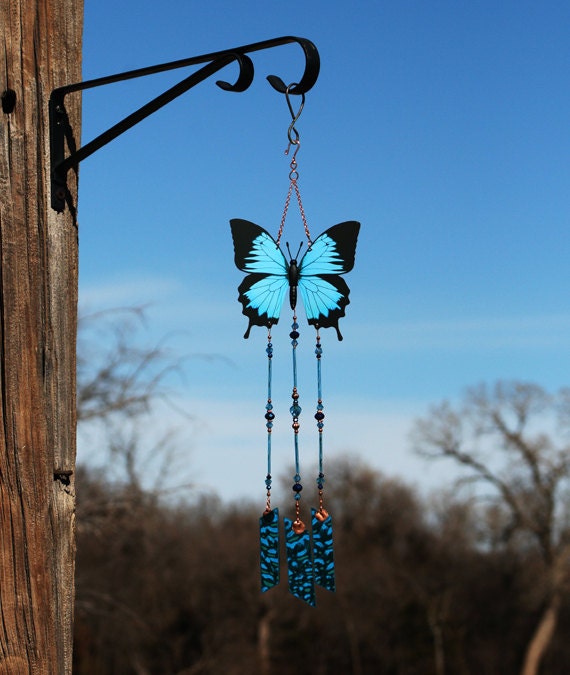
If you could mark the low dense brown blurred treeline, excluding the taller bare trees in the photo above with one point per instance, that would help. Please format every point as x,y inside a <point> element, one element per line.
<point>425,587</point>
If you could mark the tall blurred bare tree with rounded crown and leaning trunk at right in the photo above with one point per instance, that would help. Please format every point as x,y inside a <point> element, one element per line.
<point>512,440</point>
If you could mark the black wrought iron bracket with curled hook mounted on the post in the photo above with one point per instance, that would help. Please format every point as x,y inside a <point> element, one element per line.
<point>60,129</point>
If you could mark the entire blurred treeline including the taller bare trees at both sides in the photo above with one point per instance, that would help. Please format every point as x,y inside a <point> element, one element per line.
<point>463,583</point>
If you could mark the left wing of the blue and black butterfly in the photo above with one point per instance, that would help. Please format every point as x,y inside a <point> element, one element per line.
<point>263,290</point>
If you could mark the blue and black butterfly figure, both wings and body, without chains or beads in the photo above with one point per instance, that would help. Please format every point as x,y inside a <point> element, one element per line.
<point>316,276</point>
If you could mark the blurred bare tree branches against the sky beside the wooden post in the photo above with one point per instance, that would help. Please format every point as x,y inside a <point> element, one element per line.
<point>120,381</point>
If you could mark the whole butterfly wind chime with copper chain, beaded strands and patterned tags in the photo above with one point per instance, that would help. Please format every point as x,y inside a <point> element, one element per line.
<point>317,279</point>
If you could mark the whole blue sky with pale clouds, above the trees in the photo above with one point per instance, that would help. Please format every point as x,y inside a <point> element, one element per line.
<point>441,126</point>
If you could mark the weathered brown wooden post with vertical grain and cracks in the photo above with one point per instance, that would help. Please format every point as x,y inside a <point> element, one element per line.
<point>40,49</point>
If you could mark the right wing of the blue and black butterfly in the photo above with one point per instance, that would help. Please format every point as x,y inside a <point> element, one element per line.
<point>324,292</point>
